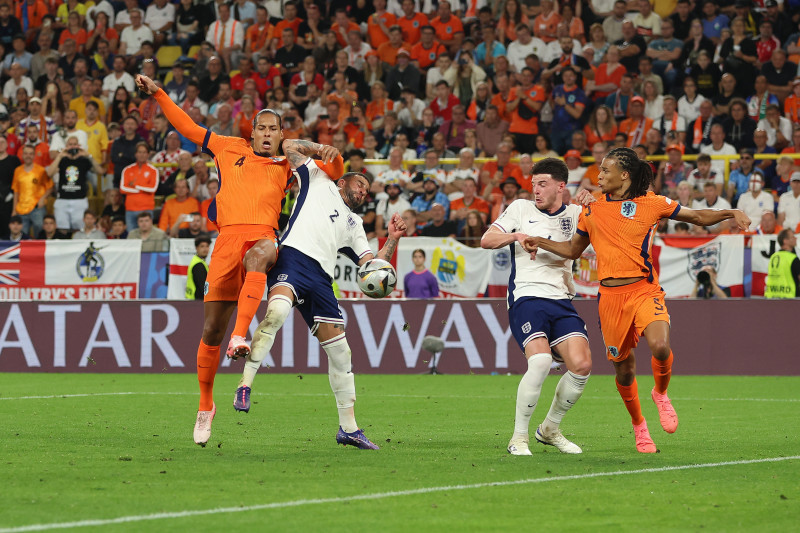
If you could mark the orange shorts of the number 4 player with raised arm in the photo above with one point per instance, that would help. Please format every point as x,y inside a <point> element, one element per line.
<point>226,267</point>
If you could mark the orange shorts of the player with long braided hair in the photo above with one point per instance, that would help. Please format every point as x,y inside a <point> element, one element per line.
<point>625,312</point>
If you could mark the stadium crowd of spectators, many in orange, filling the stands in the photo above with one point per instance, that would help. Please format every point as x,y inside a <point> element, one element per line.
<point>84,155</point>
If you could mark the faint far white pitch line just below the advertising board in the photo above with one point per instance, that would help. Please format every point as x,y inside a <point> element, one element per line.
<point>320,394</point>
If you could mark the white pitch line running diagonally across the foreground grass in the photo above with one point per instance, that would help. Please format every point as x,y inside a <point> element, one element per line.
<point>378,496</point>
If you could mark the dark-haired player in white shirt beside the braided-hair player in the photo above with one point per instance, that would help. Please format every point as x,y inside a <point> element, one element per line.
<point>541,315</point>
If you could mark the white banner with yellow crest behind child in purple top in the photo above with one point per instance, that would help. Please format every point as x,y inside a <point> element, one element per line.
<point>460,270</point>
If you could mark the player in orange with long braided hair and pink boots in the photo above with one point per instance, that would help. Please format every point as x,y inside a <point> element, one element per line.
<point>621,225</point>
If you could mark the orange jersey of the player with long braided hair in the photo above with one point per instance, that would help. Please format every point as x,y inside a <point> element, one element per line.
<point>622,231</point>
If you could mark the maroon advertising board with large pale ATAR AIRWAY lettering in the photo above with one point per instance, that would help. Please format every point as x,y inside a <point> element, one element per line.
<point>386,337</point>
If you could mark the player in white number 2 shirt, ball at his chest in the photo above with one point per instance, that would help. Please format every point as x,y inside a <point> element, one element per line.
<point>321,226</point>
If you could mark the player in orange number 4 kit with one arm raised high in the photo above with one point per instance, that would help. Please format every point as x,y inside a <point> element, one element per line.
<point>253,182</point>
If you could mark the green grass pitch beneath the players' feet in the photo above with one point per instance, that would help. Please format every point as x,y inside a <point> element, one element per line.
<point>115,453</point>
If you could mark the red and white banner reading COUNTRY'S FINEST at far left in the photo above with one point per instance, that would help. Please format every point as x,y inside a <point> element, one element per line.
<point>70,270</point>
